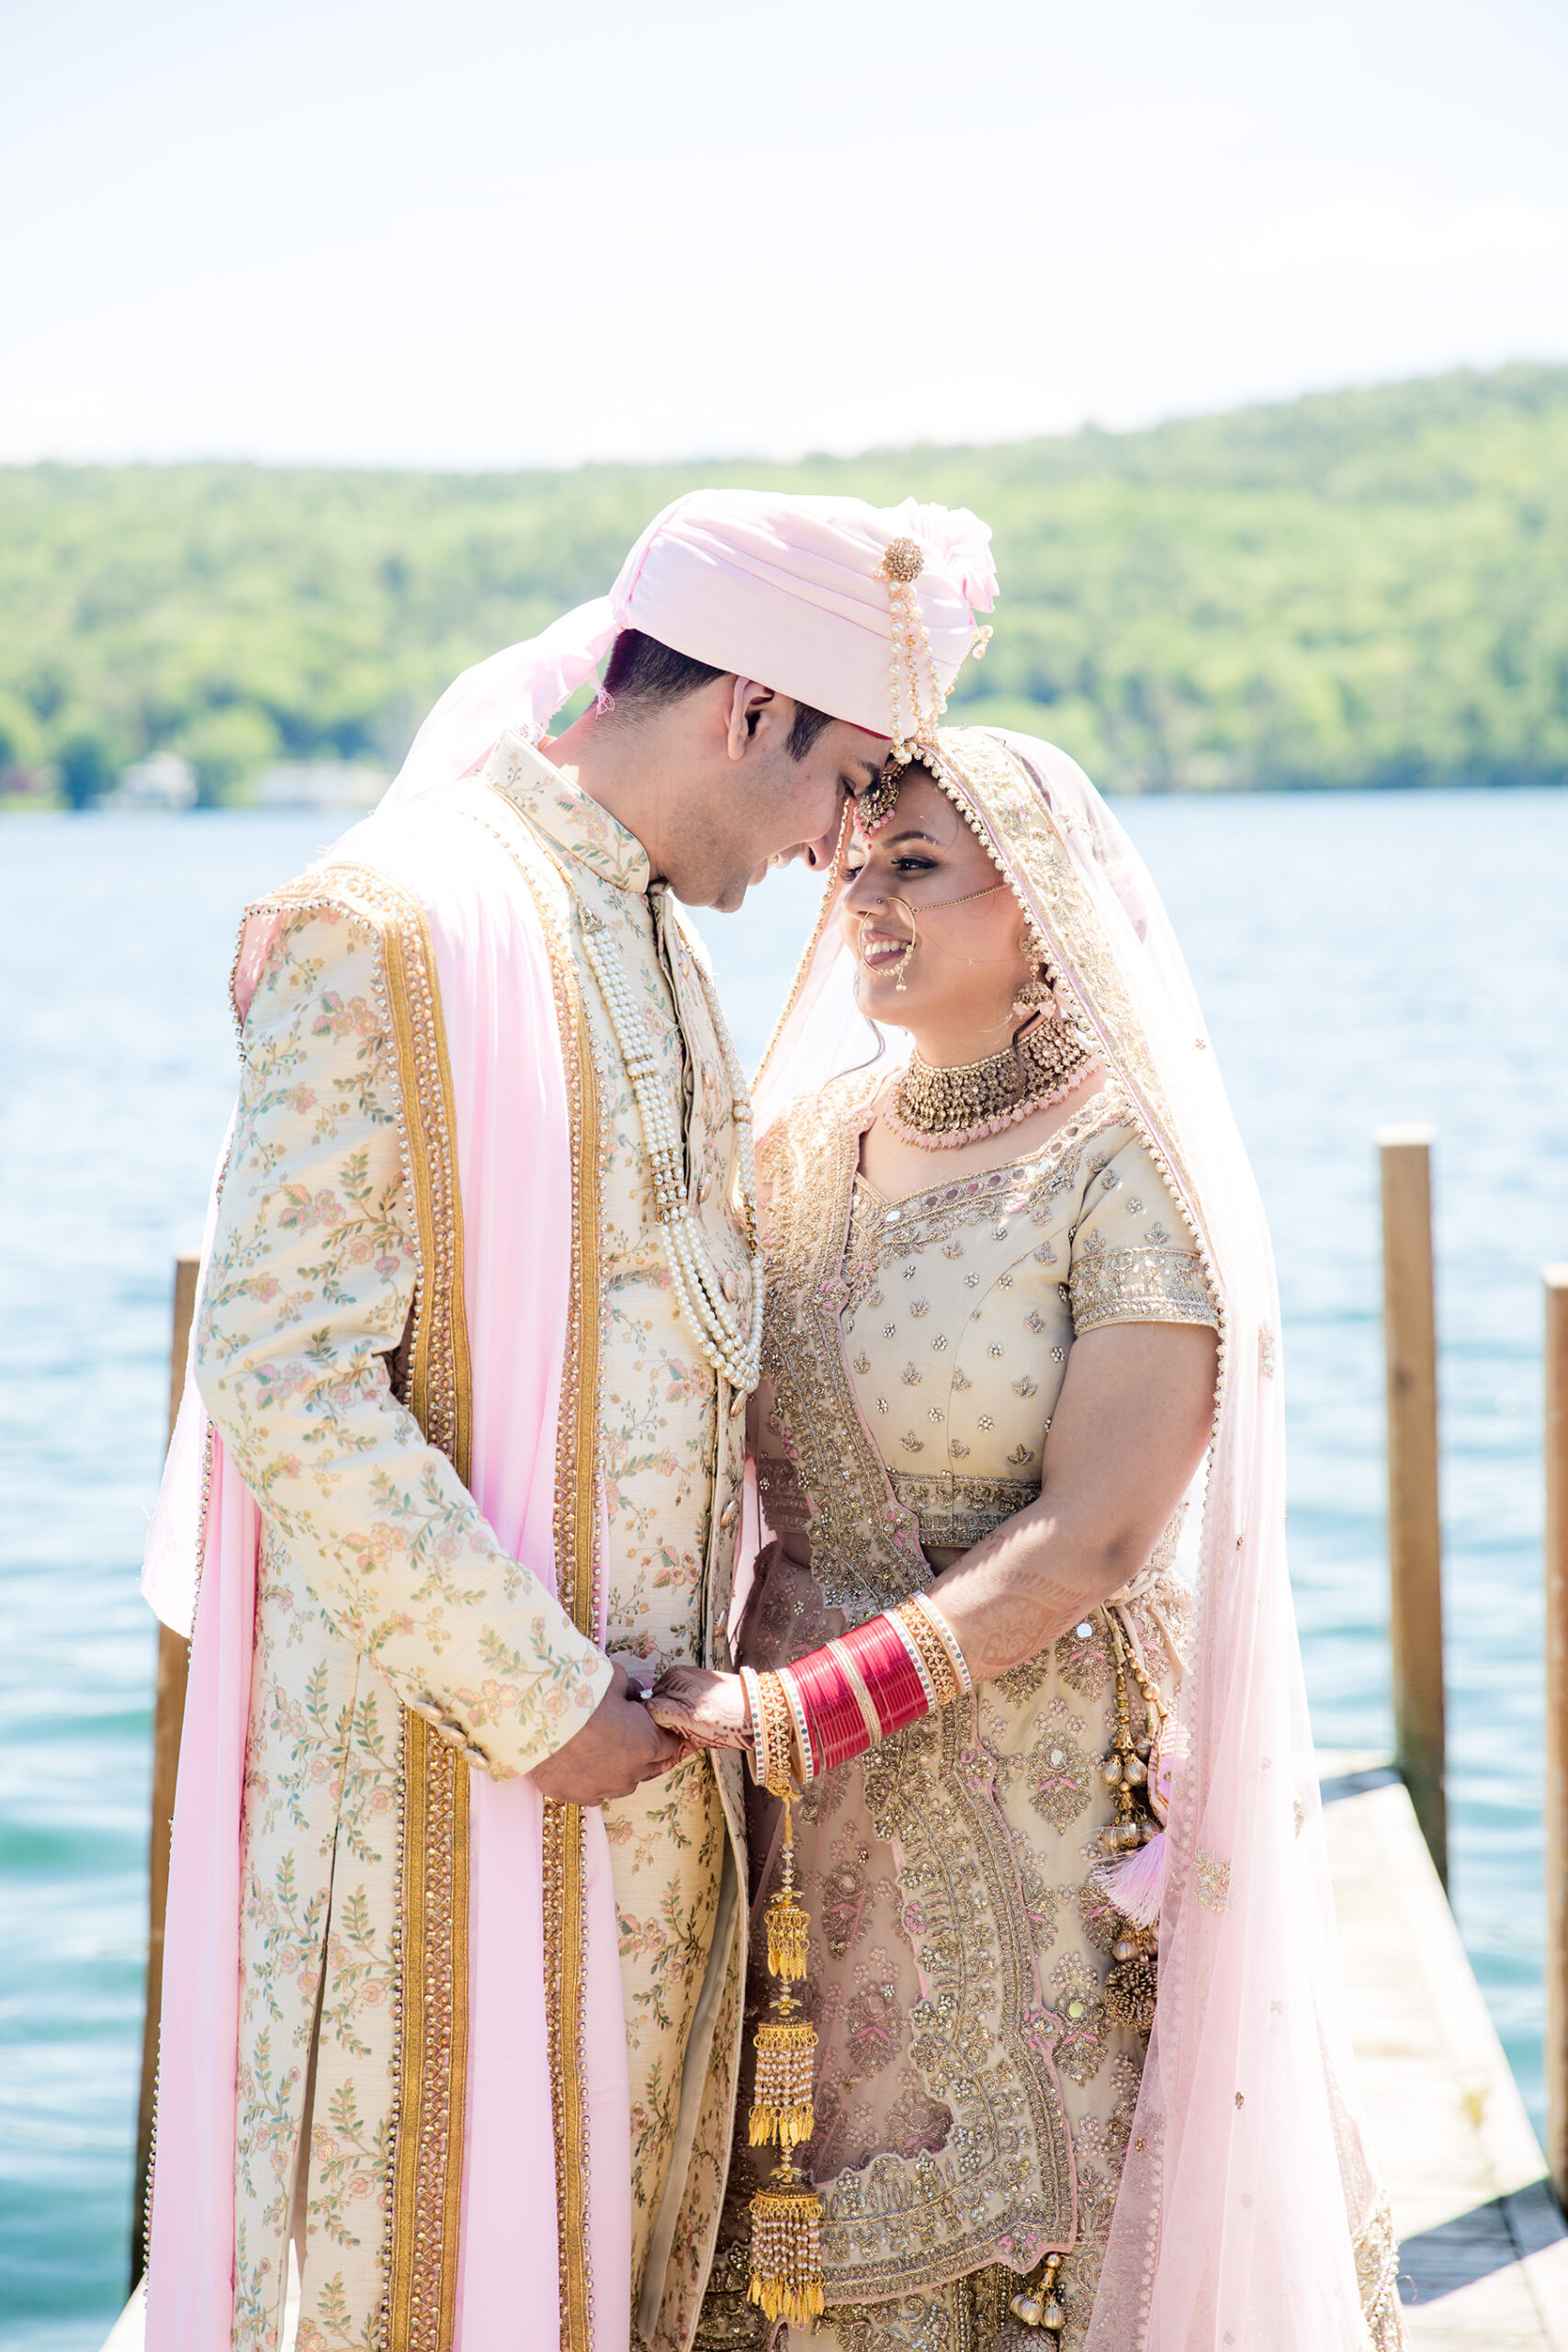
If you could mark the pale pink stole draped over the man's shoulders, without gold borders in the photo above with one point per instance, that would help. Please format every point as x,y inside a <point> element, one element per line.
<point>514,1147</point>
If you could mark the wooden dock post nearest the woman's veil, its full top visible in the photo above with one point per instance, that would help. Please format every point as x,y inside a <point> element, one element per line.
<point>1416,1535</point>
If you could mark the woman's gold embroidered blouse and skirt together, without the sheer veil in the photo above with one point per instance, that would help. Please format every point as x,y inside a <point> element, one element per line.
<point>972,2094</point>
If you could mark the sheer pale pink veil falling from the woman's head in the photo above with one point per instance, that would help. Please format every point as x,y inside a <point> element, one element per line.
<point>1249,2212</point>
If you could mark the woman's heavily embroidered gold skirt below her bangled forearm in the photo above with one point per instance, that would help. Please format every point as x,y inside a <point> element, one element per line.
<point>972,2097</point>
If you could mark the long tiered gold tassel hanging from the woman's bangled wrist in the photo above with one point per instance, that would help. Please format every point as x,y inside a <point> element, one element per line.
<point>786,2214</point>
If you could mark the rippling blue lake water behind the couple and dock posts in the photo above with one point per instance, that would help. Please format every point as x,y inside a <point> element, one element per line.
<point>1362,958</point>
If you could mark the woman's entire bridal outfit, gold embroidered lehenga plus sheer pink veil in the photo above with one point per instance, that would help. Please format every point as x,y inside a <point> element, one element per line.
<point>979,2106</point>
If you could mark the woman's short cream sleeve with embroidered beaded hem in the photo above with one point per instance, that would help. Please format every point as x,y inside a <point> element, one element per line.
<point>1132,1250</point>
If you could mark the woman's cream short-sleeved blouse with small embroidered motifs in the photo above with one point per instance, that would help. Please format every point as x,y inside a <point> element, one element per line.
<point>965,1304</point>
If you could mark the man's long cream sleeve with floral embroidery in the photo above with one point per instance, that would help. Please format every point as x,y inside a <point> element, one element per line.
<point>307,1297</point>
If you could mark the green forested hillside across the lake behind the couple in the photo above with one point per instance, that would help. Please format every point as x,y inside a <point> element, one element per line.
<point>1348,589</point>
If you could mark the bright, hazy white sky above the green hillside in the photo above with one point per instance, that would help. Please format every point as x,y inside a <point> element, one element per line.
<point>490,236</point>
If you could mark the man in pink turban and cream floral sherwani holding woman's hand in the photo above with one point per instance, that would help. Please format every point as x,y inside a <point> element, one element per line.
<point>455,1939</point>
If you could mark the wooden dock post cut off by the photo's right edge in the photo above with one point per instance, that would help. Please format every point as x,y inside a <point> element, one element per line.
<point>1557,1728</point>
